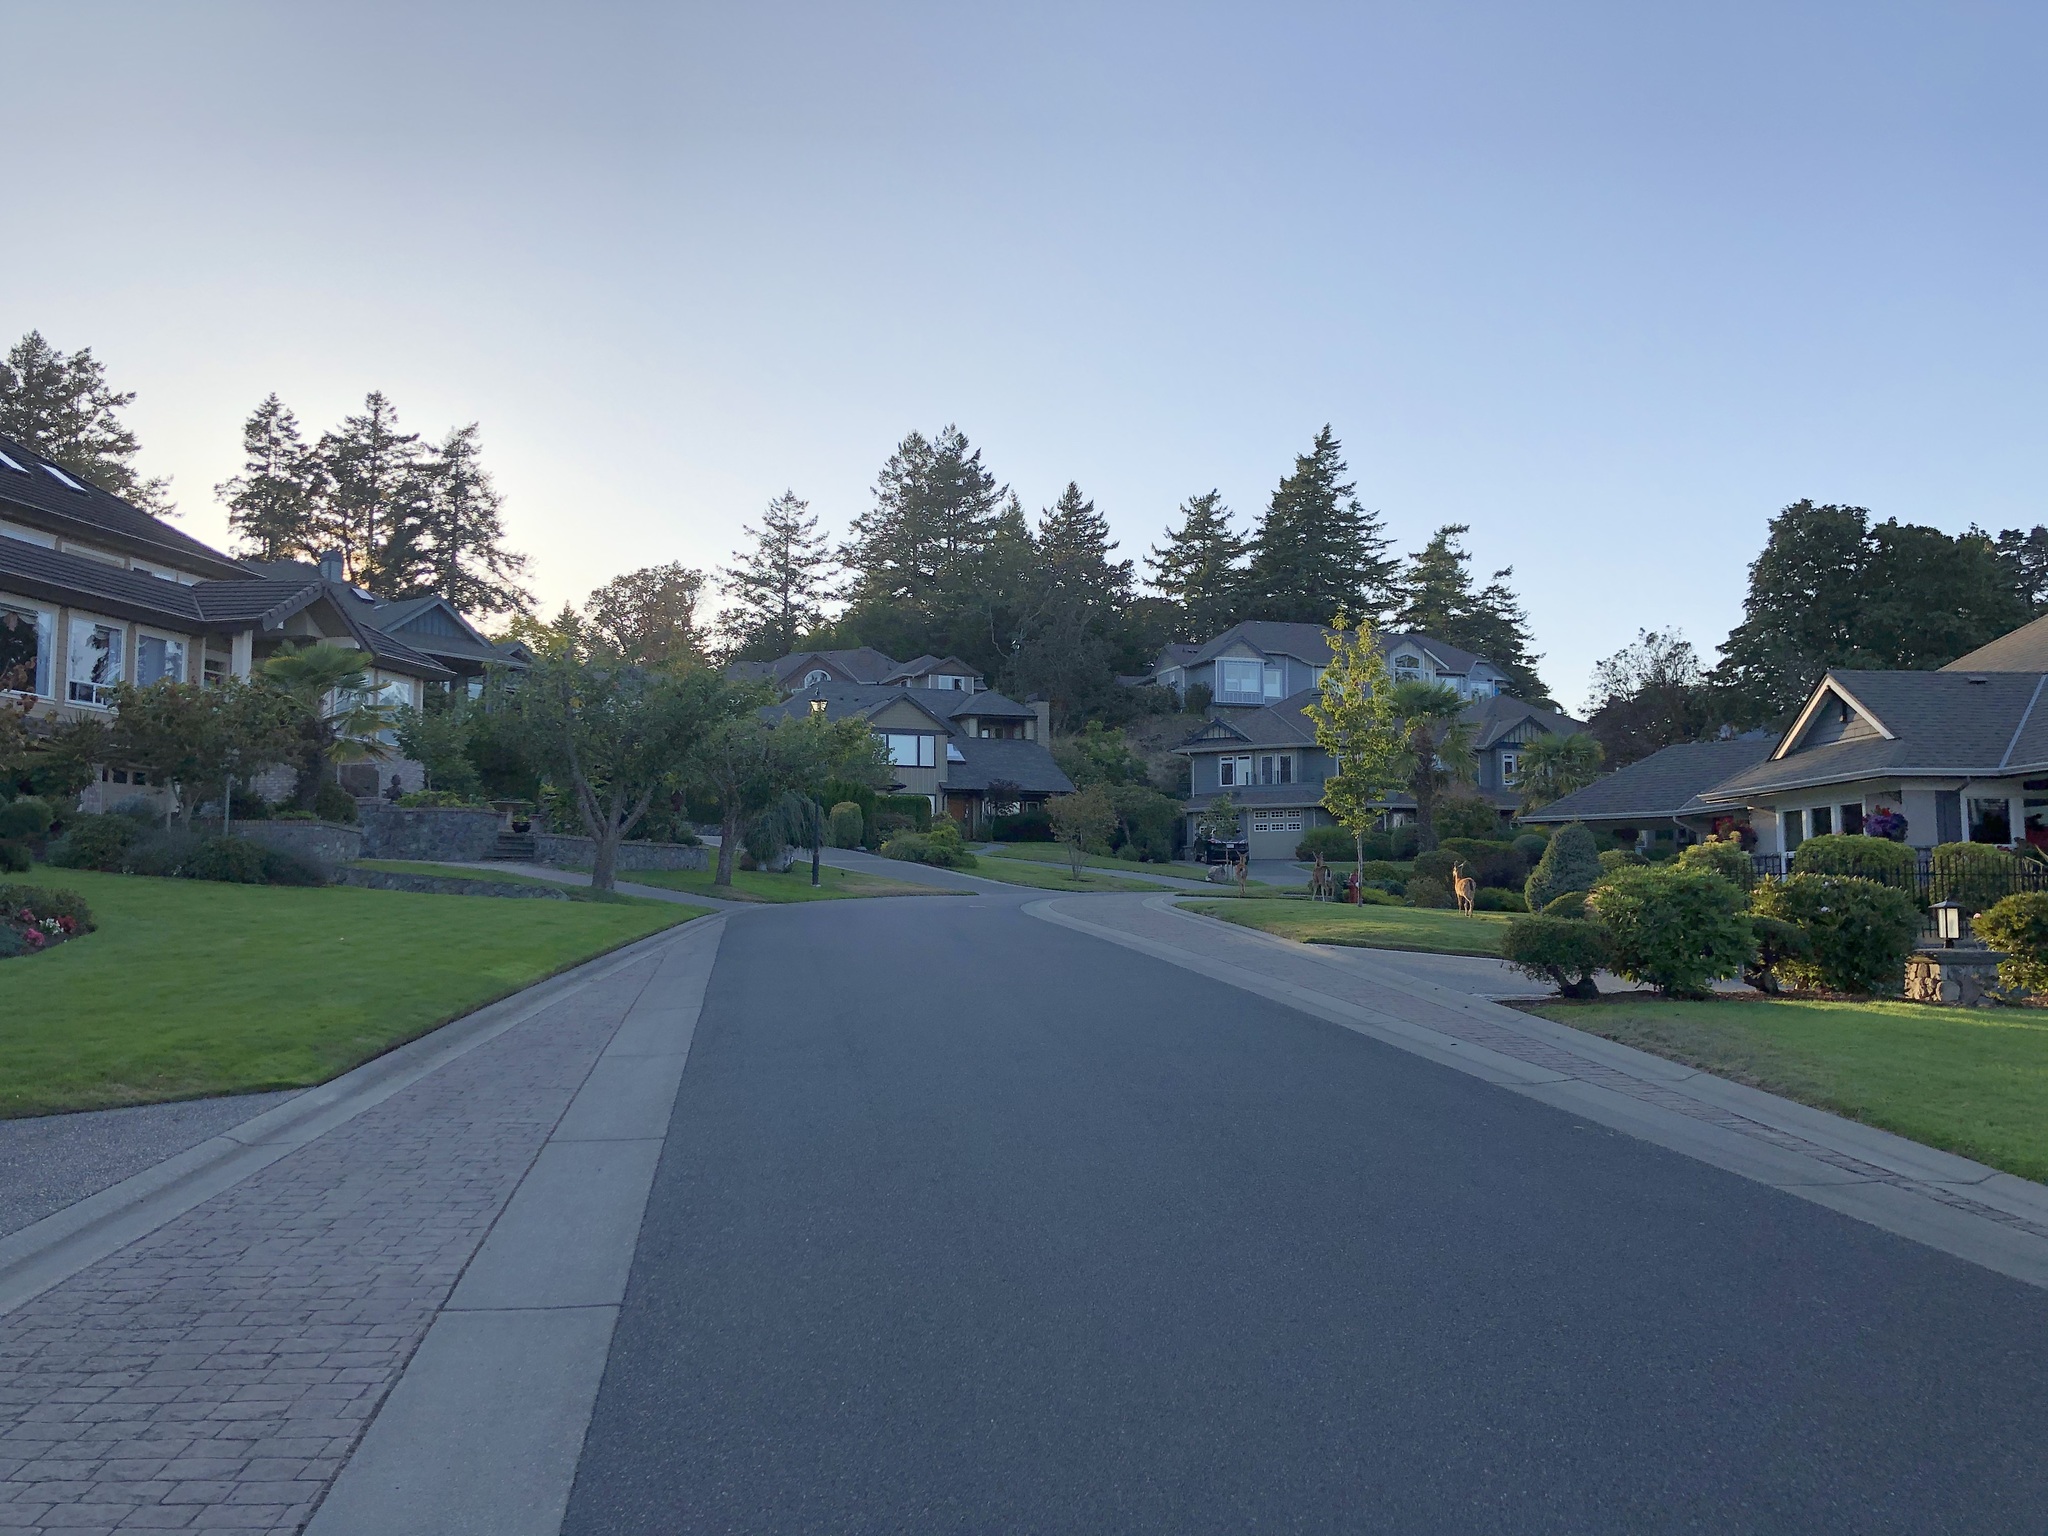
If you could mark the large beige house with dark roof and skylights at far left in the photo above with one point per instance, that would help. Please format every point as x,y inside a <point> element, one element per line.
<point>97,593</point>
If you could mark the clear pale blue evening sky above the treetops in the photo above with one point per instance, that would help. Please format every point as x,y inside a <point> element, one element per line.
<point>1609,282</point>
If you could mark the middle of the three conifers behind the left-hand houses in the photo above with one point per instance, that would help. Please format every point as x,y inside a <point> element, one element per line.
<point>372,486</point>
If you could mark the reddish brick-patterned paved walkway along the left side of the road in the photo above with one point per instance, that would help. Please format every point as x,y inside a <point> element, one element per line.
<point>218,1373</point>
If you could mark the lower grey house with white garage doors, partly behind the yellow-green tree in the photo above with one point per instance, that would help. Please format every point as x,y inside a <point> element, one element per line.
<point>1271,767</point>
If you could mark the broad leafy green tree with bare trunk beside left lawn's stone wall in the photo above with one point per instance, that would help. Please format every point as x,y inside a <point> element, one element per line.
<point>615,734</point>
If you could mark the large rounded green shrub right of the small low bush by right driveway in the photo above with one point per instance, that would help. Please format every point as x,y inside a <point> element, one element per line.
<point>1674,929</point>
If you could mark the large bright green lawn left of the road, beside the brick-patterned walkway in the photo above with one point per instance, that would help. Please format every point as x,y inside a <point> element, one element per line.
<point>198,988</point>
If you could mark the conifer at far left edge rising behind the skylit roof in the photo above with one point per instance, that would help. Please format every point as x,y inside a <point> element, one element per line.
<point>62,409</point>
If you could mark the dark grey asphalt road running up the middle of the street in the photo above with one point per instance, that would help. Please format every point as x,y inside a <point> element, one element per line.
<point>976,1224</point>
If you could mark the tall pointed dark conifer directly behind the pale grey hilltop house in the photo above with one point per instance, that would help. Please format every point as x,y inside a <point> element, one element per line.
<point>1318,550</point>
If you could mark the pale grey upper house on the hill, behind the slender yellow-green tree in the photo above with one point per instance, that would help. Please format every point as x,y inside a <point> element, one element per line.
<point>1256,665</point>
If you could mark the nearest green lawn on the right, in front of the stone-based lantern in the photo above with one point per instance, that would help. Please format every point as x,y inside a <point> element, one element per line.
<point>1969,1080</point>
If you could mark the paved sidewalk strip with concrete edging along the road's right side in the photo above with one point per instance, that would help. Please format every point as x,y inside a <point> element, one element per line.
<point>1932,1197</point>
